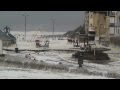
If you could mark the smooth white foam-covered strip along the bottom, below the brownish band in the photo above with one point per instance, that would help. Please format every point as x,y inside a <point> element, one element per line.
<point>19,73</point>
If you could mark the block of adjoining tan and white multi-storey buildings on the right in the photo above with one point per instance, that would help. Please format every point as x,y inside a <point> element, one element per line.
<point>103,25</point>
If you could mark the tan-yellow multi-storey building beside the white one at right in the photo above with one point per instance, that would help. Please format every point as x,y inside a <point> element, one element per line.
<point>95,23</point>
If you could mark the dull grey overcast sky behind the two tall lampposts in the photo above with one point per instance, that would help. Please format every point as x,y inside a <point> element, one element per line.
<point>39,20</point>
